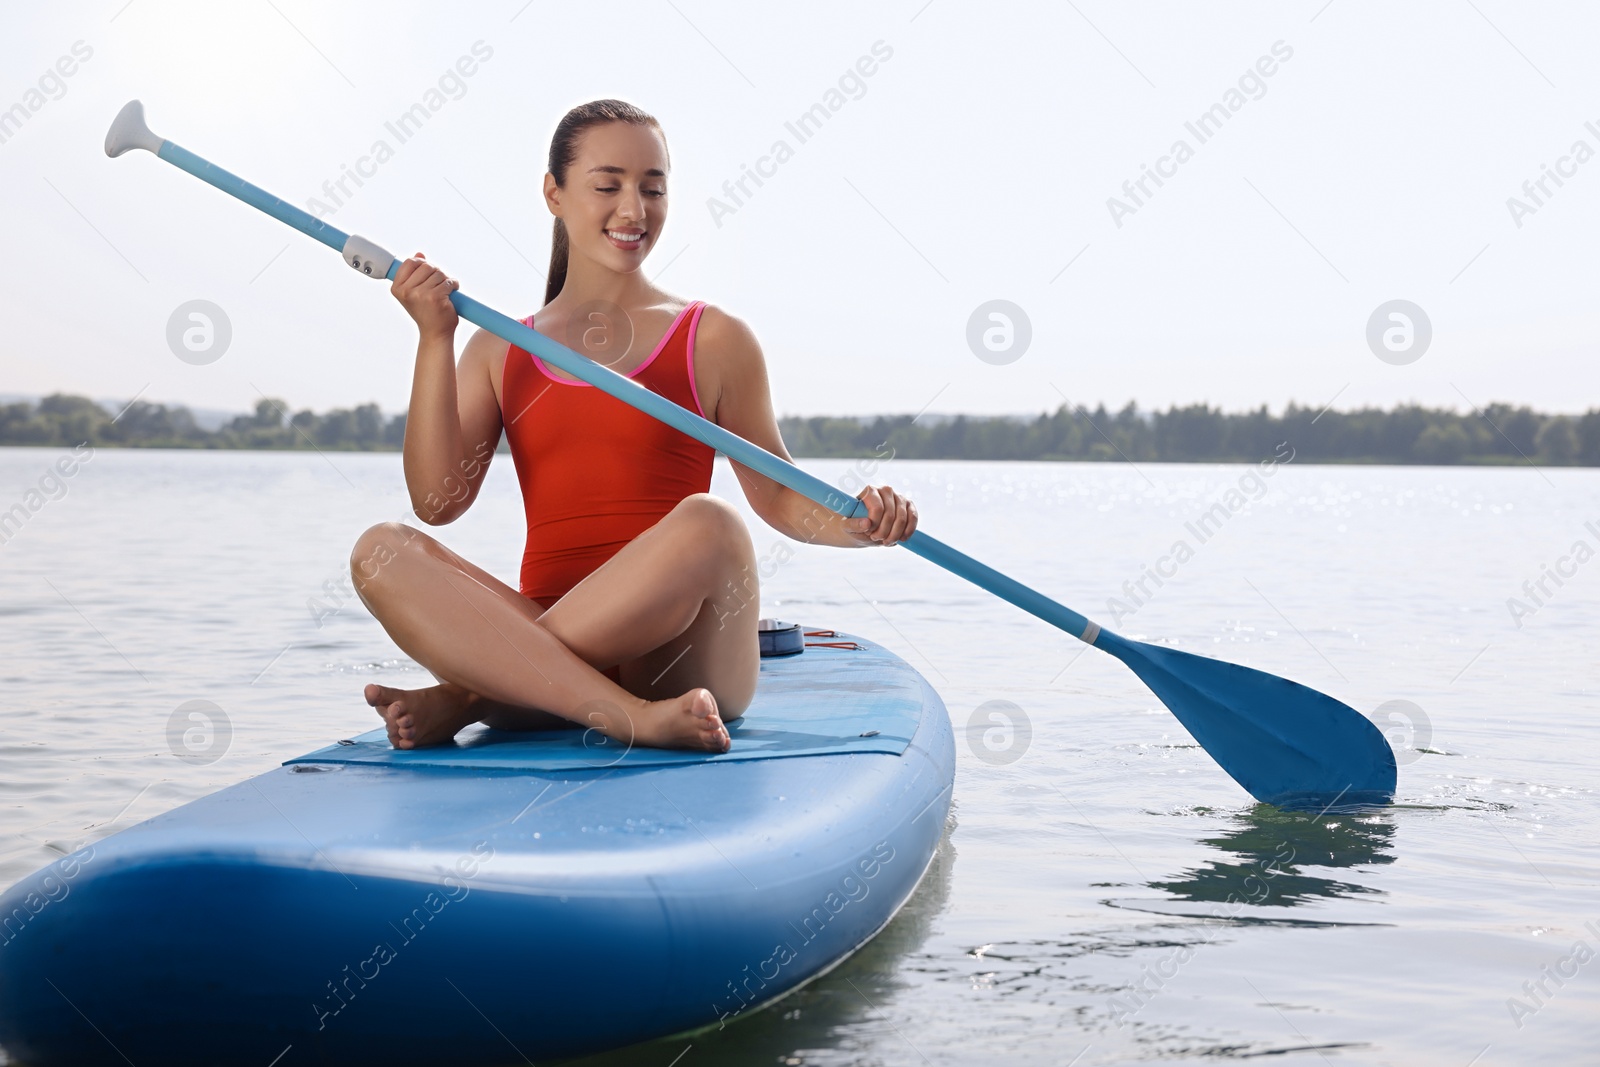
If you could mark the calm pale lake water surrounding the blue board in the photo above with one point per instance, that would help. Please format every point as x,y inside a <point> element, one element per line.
<point>1105,893</point>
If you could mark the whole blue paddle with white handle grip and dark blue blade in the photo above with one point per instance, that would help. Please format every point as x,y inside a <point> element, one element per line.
<point>1287,745</point>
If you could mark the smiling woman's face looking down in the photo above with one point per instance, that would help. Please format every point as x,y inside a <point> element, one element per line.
<point>615,201</point>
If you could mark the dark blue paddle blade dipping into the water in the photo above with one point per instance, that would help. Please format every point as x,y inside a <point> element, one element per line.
<point>1286,743</point>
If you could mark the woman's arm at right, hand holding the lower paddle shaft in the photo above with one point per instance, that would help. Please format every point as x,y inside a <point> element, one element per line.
<point>730,362</point>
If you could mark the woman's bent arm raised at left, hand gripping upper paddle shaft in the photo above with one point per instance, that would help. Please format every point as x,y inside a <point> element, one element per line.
<point>454,423</point>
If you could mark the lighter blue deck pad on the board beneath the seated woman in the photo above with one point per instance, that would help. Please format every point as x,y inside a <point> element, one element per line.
<point>866,701</point>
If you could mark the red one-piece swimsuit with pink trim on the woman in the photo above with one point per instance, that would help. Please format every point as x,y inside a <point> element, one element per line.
<point>596,473</point>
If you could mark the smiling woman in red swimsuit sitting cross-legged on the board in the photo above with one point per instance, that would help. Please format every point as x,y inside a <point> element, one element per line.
<point>639,596</point>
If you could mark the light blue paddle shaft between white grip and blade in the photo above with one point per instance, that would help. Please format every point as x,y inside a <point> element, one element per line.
<point>652,404</point>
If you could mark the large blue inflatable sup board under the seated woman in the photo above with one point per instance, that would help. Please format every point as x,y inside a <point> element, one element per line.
<point>508,898</point>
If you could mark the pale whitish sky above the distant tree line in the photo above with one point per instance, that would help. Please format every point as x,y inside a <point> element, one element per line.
<point>974,164</point>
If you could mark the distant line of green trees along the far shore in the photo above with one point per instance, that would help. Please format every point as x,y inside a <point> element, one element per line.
<point>1410,434</point>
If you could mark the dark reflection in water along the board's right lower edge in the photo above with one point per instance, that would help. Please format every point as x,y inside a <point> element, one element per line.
<point>822,1021</point>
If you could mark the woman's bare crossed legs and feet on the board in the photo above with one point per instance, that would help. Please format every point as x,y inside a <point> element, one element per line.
<point>674,612</point>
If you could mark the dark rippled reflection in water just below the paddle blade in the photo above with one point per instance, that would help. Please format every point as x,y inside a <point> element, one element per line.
<point>1270,850</point>
